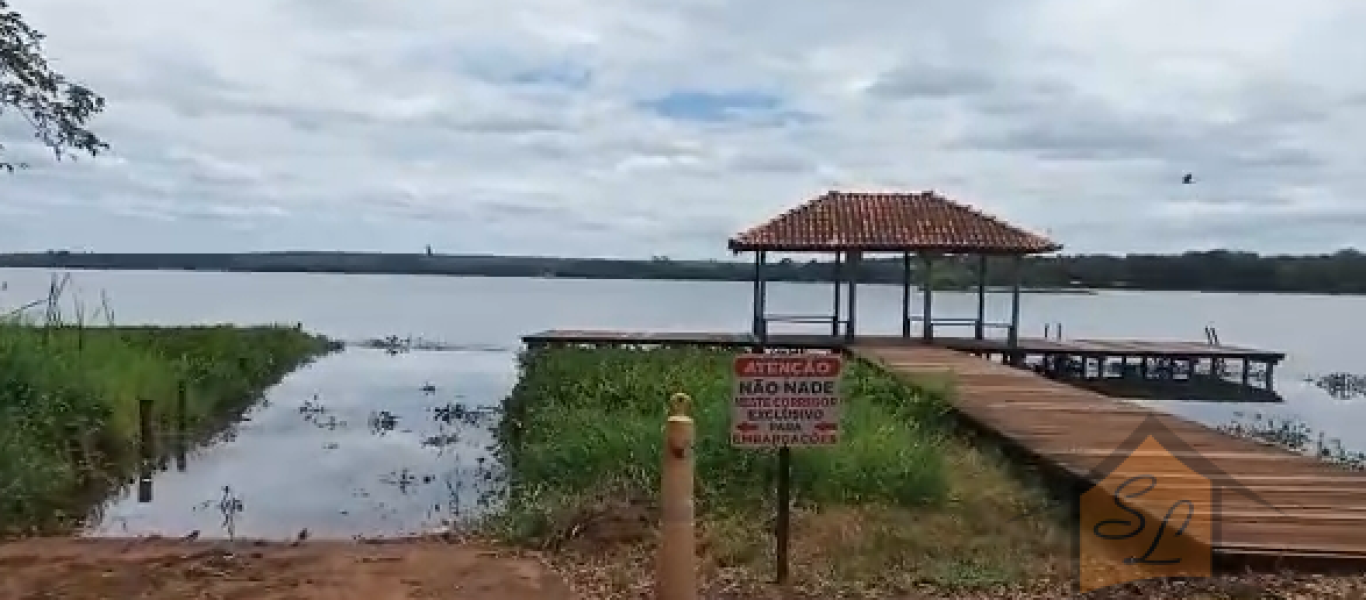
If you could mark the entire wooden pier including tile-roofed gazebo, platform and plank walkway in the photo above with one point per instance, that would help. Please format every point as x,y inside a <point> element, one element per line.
<point>1300,512</point>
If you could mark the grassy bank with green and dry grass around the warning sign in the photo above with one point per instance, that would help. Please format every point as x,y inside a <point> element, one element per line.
<point>904,501</point>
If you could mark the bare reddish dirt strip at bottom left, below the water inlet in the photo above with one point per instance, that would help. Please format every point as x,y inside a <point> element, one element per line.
<point>65,569</point>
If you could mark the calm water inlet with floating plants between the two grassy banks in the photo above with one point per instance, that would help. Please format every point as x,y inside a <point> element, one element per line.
<point>361,444</point>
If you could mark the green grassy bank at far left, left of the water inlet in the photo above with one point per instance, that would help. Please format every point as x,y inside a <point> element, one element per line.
<point>69,403</point>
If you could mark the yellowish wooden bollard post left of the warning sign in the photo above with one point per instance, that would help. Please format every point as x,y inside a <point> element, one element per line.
<point>678,543</point>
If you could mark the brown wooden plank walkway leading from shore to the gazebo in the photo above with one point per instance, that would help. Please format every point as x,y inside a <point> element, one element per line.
<point>1319,512</point>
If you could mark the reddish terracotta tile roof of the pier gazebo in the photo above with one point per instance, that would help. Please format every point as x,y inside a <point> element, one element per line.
<point>889,222</point>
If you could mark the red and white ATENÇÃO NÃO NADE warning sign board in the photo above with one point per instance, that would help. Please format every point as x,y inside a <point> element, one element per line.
<point>786,400</point>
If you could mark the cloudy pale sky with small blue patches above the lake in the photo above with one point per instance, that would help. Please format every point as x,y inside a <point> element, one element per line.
<point>639,128</point>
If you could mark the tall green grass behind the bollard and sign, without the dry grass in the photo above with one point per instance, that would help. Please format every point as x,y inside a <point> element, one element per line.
<point>581,423</point>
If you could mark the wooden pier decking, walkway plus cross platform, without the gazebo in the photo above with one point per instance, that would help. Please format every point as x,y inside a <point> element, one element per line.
<point>1315,520</point>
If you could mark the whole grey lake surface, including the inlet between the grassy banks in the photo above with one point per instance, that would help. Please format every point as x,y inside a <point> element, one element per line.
<point>338,475</point>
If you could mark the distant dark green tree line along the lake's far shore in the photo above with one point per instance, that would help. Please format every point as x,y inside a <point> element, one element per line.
<point>1342,273</point>
